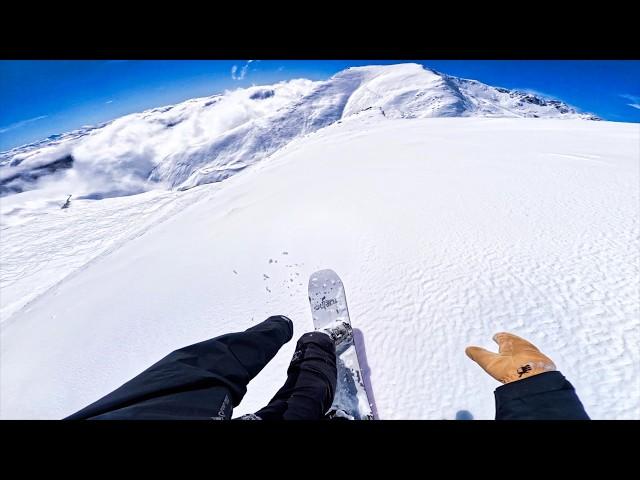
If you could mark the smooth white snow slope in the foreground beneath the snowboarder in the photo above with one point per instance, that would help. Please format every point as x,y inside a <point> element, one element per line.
<point>444,231</point>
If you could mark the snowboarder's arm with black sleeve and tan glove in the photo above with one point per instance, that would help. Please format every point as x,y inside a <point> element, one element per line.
<point>533,389</point>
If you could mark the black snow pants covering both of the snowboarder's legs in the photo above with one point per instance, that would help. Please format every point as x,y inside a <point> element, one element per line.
<point>208,379</point>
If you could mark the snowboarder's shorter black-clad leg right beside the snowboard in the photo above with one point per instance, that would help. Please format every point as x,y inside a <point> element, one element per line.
<point>311,382</point>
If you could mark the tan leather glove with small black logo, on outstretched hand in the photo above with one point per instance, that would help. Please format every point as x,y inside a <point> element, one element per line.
<point>517,358</point>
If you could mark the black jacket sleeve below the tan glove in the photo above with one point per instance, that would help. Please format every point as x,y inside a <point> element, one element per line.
<point>546,396</point>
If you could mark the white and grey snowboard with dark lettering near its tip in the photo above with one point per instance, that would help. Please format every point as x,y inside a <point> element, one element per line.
<point>328,306</point>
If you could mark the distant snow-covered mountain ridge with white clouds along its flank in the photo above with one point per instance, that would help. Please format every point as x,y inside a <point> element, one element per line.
<point>205,140</point>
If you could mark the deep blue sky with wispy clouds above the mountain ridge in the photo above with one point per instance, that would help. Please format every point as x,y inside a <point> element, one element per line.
<point>41,98</point>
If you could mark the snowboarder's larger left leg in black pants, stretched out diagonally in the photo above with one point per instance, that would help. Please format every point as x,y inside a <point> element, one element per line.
<point>201,381</point>
